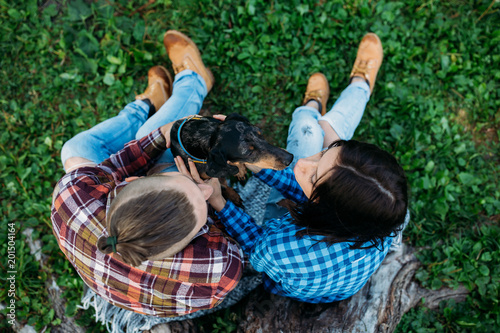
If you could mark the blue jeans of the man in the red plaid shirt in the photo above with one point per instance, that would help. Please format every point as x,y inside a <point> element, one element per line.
<point>108,137</point>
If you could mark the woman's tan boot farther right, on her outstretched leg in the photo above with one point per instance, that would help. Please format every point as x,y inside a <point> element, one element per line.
<point>368,59</point>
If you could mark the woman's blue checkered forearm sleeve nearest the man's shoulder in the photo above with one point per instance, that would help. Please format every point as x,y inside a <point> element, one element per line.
<point>240,226</point>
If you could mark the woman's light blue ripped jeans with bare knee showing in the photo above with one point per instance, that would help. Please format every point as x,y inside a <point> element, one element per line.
<point>305,135</point>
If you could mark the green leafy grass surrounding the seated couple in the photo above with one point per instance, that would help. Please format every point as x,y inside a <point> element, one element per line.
<point>67,66</point>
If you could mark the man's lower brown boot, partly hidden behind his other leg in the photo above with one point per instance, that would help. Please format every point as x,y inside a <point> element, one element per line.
<point>159,86</point>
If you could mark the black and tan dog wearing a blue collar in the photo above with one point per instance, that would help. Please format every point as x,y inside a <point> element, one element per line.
<point>212,143</point>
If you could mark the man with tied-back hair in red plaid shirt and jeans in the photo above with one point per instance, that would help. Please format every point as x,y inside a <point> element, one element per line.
<point>144,243</point>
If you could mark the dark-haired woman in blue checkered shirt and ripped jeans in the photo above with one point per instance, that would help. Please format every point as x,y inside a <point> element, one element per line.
<point>351,197</point>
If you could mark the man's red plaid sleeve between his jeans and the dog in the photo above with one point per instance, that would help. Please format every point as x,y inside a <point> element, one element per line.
<point>137,157</point>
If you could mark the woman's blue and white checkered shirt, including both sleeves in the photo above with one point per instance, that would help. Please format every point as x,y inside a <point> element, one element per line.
<point>301,268</point>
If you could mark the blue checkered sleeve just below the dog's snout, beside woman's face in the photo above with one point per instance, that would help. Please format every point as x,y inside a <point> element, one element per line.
<point>284,181</point>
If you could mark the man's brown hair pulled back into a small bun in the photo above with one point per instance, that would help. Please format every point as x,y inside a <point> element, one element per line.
<point>147,223</point>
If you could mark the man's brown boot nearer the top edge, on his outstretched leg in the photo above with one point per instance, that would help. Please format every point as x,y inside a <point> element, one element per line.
<point>184,54</point>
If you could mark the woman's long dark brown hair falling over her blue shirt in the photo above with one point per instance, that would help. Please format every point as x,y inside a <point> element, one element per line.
<point>363,199</point>
